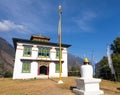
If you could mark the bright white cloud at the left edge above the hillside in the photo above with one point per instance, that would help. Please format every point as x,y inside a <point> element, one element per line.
<point>7,25</point>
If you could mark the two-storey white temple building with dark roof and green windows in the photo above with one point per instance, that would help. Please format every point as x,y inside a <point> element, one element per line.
<point>38,58</point>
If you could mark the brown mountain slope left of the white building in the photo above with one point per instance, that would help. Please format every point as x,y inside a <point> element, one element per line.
<point>7,53</point>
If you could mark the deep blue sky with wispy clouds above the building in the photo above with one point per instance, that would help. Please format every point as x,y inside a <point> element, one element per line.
<point>88,25</point>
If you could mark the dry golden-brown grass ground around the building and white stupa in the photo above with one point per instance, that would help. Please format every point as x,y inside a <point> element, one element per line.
<point>49,87</point>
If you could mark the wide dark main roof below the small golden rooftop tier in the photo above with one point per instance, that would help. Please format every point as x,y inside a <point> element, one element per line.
<point>17,40</point>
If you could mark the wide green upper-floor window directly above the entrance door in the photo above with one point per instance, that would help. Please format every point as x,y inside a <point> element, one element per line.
<point>44,52</point>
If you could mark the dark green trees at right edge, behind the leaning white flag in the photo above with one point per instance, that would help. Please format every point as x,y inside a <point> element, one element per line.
<point>103,69</point>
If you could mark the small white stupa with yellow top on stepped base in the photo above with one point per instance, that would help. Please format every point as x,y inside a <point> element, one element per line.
<point>86,84</point>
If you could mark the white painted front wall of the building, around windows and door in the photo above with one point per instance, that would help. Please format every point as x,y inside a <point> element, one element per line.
<point>17,73</point>
